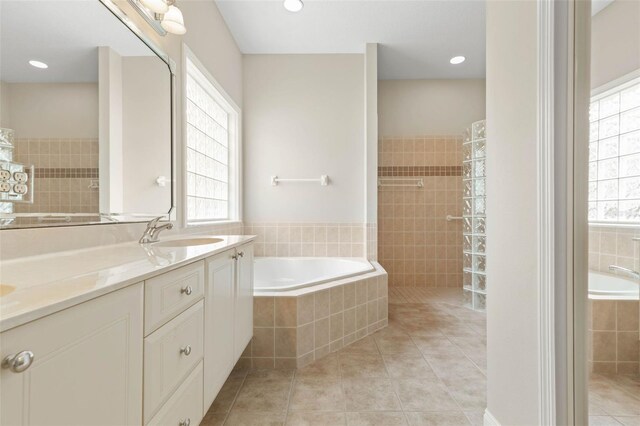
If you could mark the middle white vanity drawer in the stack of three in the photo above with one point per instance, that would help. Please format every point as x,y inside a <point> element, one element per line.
<point>170,353</point>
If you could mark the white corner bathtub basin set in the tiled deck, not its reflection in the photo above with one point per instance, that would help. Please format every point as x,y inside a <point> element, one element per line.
<point>281,274</point>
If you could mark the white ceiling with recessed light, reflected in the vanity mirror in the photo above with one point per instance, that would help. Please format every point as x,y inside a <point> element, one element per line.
<point>63,34</point>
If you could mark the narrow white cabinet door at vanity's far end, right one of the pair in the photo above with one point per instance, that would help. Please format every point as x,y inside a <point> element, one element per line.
<point>244,300</point>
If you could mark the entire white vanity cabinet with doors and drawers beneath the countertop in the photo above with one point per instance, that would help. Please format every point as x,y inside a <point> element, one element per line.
<point>152,353</point>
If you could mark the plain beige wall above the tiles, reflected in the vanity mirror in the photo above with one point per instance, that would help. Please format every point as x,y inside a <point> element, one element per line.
<point>52,110</point>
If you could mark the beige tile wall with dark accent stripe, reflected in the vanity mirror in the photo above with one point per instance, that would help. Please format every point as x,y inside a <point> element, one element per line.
<point>66,174</point>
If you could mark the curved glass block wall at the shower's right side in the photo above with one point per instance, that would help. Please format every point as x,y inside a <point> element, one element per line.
<point>474,243</point>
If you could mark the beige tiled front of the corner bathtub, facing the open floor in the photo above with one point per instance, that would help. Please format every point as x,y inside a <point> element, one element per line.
<point>291,332</point>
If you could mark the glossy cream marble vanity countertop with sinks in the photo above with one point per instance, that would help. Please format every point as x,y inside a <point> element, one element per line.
<point>33,287</point>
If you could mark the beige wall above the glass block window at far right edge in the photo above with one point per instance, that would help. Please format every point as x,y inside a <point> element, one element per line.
<point>615,41</point>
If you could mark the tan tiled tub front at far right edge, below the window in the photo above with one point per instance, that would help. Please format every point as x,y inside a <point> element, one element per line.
<point>614,337</point>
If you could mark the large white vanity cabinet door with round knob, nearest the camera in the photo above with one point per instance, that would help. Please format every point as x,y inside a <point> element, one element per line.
<point>87,366</point>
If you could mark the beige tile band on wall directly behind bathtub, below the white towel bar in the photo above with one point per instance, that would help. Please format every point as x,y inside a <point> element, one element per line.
<point>308,239</point>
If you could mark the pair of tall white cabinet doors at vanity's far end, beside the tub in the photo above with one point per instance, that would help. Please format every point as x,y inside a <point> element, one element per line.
<point>228,315</point>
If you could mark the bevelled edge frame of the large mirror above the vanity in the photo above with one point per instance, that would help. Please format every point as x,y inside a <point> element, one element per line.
<point>132,217</point>
